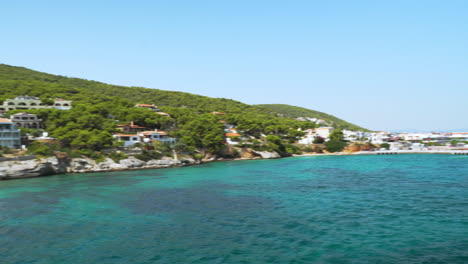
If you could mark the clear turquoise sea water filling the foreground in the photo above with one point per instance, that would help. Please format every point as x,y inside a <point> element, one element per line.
<point>349,209</point>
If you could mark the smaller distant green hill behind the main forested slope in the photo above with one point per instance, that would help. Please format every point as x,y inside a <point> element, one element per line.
<point>295,112</point>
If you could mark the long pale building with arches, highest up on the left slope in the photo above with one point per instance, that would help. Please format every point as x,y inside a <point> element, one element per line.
<point>31,102</point>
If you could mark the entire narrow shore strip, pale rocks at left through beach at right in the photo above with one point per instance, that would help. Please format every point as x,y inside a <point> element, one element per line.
<point>50,166</point>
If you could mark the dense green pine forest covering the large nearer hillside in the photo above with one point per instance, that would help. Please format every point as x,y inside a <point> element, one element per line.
<point>99,107</point>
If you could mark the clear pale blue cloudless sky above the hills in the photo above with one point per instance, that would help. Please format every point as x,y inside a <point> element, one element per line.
<point>393,65</point>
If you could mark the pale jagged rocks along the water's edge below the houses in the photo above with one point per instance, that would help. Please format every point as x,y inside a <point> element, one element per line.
<point>18,169</point>
